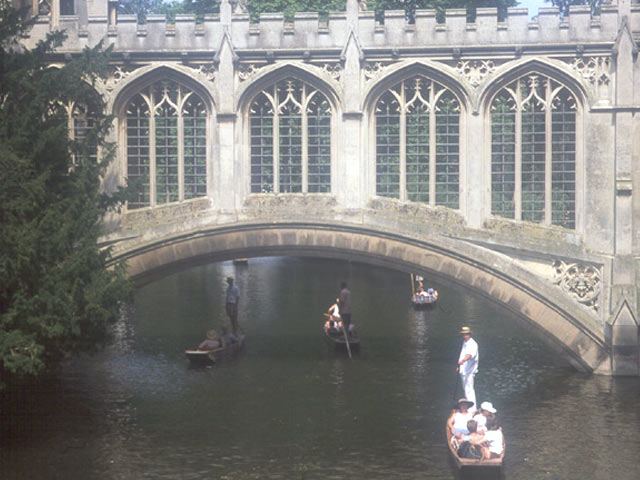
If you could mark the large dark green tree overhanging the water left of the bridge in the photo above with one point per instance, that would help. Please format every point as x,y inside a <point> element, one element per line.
<point>56,294</point>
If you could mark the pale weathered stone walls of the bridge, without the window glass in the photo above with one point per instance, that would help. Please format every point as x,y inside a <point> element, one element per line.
<point>576,285</point>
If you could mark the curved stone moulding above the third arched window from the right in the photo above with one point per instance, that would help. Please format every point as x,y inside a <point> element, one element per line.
<point>269,75</point>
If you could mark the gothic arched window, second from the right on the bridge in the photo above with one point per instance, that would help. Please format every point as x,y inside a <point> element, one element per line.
<point>418,143</point>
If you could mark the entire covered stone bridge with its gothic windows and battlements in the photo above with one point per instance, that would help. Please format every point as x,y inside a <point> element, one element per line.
<point>499,155</point>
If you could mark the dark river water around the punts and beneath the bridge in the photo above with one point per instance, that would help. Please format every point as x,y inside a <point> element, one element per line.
<point>289,407</point>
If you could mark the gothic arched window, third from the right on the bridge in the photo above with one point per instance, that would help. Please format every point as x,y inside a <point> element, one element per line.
<point>290,134</point>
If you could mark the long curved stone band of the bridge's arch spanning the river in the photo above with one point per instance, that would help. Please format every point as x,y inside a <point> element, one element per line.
<point>558,321</point>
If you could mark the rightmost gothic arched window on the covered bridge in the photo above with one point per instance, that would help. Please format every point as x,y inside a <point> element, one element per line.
<point>533,152</point>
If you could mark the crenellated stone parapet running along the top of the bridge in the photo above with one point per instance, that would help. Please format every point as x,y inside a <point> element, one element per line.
<point>308,32</point>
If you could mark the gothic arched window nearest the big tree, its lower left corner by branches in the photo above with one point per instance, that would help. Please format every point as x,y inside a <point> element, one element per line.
<point>166,137</point>
